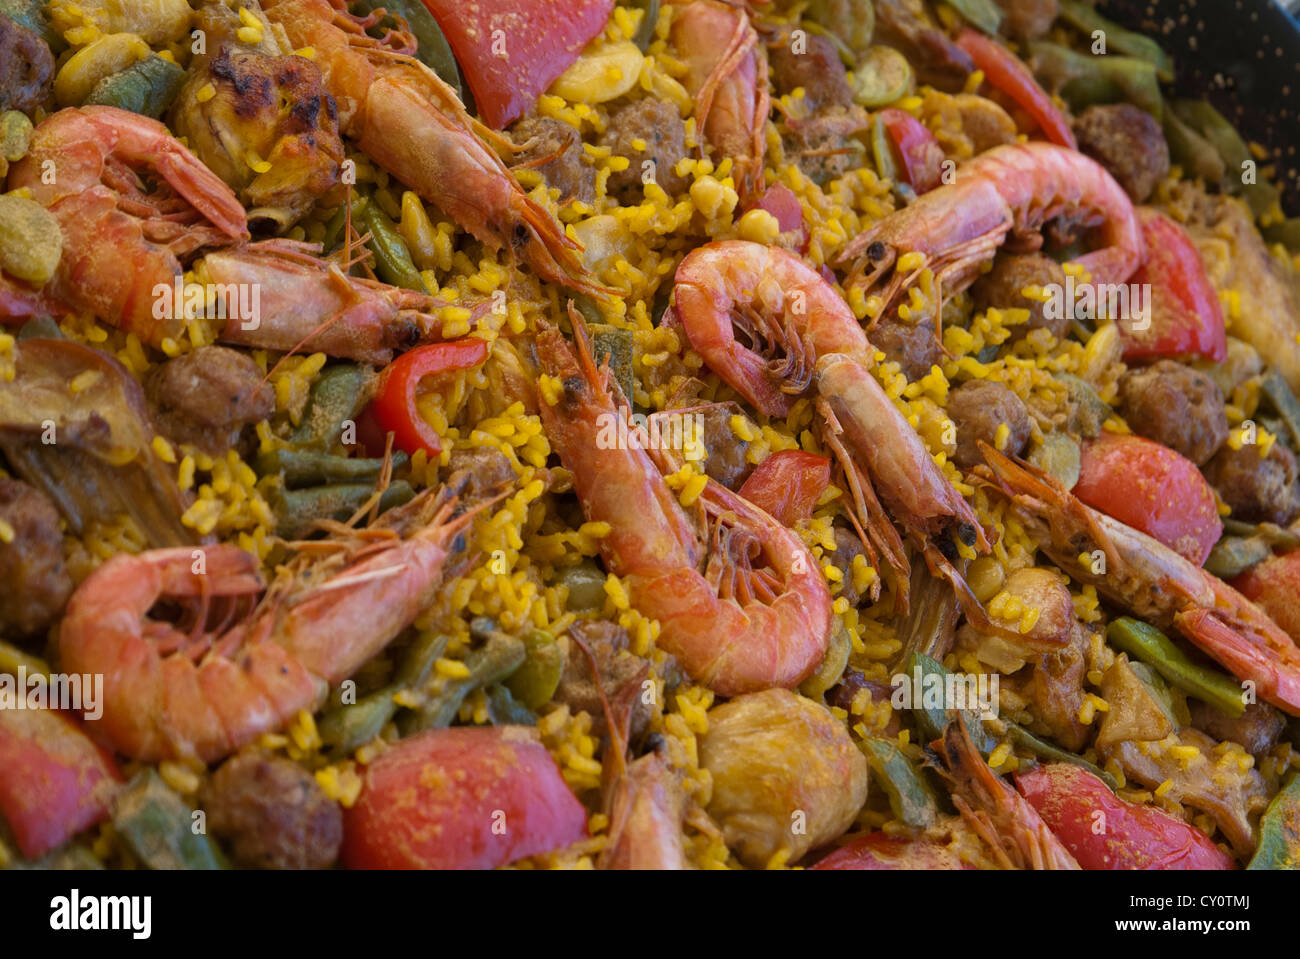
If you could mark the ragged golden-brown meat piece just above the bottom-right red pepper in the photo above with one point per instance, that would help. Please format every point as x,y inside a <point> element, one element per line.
<point>1216,786</point>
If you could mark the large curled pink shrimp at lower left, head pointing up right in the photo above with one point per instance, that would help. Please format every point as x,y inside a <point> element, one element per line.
<point>242,669</point>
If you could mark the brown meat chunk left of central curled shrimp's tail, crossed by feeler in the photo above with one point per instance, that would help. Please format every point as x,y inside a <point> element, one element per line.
<point>617,665</point>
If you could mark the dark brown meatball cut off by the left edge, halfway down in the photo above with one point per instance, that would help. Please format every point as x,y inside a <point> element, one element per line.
<point>34,585</point>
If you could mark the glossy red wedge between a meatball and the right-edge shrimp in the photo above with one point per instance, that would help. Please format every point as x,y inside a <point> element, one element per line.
<point>1152,489</point>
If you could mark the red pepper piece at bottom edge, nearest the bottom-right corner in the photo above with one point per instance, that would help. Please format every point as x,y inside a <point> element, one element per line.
<point>1104,832</point>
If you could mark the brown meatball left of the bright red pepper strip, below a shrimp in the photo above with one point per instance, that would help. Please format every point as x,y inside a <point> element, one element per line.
<point>207,397</point>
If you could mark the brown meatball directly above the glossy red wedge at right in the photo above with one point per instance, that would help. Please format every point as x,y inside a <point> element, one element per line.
<point>1176,406</point>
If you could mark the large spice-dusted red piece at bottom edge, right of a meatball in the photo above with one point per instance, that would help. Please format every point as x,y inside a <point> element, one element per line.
<point>461,799</point>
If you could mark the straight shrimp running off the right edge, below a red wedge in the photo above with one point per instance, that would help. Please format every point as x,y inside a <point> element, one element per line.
<point>1147,578</point>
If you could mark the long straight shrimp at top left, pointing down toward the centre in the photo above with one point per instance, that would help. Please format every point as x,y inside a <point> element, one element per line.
<point>414,125</point>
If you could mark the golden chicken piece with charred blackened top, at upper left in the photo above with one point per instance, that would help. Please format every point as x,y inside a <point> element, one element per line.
<point>272,110</point>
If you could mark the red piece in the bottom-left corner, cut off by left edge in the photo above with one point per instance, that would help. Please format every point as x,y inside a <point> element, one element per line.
<point>54,780</point>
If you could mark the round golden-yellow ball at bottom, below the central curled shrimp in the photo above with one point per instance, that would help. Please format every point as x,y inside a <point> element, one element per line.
<point>786,775</point>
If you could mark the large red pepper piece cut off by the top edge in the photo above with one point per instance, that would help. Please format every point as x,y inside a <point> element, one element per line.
<point>512,51</point>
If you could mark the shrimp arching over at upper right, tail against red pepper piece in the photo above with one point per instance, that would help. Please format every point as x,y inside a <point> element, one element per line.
<point>1008,192</point>
